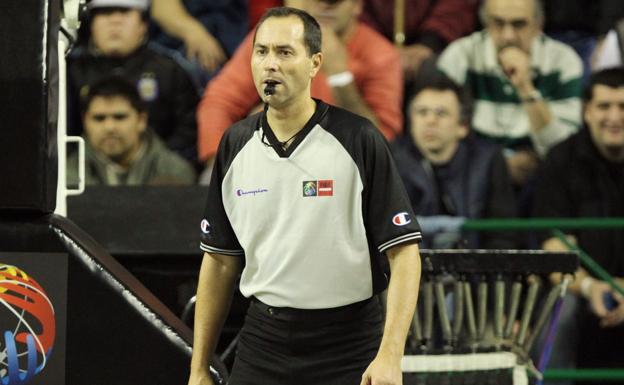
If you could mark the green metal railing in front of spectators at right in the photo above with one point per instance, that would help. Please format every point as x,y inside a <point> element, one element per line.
<point>556,225</point>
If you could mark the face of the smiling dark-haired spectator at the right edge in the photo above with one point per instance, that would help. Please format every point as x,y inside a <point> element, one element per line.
<point>604,115</point>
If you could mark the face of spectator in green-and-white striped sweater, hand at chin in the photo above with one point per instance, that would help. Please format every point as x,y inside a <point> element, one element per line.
<point>512,23</point>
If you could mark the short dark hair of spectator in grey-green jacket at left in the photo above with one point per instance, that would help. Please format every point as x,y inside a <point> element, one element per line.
<point>113,86</point>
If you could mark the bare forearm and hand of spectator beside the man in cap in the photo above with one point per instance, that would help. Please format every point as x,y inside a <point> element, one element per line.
<point>200,44</point>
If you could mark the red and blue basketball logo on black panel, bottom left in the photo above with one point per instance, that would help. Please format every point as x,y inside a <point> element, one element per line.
<point>27,325</point>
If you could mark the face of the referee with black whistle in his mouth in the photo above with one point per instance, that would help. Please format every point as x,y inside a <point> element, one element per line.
<point>279,55</point>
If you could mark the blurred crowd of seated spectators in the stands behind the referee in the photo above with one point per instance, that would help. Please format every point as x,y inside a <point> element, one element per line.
<point>481,102</point>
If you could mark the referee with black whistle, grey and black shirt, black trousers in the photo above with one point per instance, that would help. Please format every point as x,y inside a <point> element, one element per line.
<point>305,196</point>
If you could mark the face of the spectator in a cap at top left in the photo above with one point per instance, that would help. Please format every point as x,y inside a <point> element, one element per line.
<point>117,31</point>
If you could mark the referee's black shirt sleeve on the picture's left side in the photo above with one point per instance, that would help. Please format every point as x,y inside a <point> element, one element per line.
<point>217,235</point>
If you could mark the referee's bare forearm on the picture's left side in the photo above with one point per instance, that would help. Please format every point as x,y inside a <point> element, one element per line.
<point>217,278</point>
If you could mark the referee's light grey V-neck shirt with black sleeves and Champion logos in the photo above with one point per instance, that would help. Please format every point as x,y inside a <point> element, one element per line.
<point>310,221</point>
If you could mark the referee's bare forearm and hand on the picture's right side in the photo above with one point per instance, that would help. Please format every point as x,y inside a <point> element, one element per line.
<point>402,296</point>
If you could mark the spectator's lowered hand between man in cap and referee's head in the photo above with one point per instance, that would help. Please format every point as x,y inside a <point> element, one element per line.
<point>203,47</point>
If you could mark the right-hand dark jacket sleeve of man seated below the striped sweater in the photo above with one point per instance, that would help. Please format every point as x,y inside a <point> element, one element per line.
<point>501,204</point>
